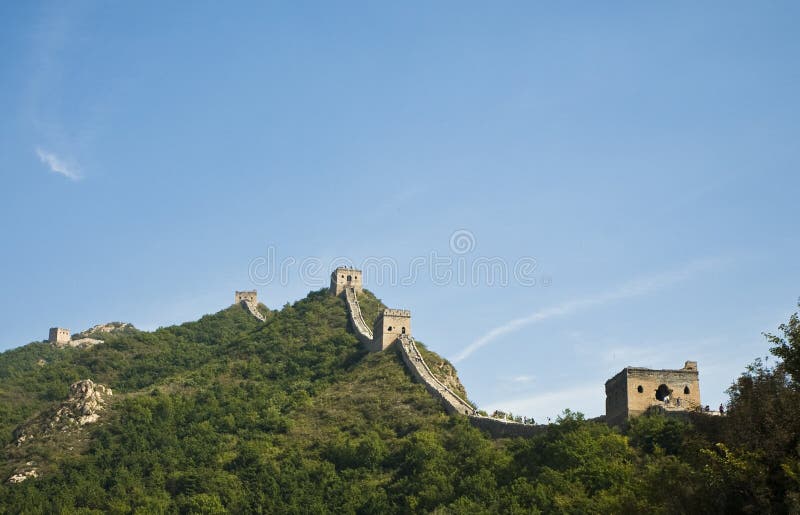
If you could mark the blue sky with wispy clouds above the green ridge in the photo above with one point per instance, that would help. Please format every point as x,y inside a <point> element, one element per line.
<point>643,156</point>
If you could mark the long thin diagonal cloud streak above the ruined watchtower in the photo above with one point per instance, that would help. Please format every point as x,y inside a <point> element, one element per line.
<point>635,288</point>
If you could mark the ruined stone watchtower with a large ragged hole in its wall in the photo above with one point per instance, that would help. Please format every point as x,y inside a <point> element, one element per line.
<point>633,390</point>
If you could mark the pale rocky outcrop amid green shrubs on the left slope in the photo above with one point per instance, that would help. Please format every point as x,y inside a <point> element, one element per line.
<point>86,402</point>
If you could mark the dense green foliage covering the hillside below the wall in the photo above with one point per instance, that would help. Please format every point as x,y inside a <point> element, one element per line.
<point>229,414</point>
